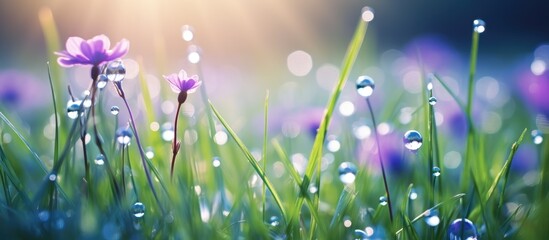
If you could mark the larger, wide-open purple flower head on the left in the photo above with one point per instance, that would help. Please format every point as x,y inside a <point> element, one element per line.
<point>93,51</point>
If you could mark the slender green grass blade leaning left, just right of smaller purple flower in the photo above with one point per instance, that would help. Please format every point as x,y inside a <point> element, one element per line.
<point>252,162</point>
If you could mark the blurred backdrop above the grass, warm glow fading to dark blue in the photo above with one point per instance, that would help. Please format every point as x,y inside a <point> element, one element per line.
<point>288,47</point>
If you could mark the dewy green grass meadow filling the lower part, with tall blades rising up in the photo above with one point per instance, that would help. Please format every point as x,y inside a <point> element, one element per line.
<point>229,191</point>
